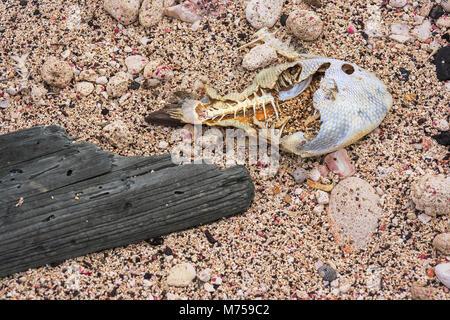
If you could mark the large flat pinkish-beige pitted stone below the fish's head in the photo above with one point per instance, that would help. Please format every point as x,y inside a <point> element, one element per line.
<point>355,210</point>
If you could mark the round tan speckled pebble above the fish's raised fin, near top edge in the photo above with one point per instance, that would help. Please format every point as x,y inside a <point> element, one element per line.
<point>305,25</point>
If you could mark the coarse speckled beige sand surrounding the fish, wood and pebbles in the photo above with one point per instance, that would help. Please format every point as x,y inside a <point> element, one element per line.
<point>272,251</point>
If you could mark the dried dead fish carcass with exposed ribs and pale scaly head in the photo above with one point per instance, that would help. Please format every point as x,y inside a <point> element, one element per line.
<point>350,101</point>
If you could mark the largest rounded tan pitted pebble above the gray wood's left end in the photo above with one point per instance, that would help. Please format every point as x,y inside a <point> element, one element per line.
<point>56,72</point>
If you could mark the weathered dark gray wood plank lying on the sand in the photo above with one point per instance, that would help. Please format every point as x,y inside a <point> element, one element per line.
<point>79,199</point>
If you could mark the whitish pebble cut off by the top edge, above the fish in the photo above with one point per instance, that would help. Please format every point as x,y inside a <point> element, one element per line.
<point>263,13</point>
